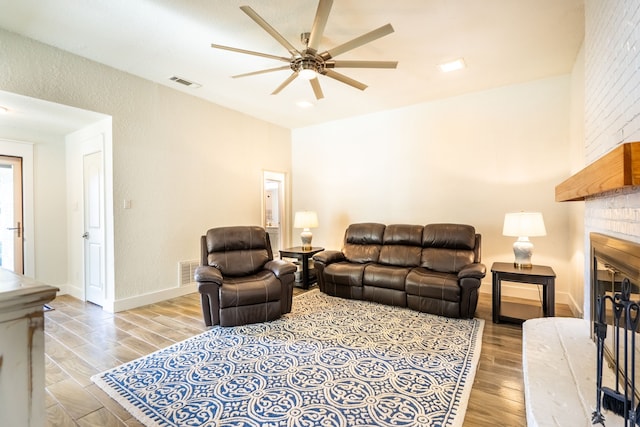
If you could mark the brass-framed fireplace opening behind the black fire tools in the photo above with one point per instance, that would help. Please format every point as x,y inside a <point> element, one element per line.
<point>612,261</point>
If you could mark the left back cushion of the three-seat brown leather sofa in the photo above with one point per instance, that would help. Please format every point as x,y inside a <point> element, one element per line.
<point>362,242</point>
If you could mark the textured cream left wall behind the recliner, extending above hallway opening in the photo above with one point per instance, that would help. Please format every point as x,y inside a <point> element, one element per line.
<point>185,164</point>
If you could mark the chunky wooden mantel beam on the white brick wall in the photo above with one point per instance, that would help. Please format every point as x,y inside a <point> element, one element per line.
<point>617,169</point>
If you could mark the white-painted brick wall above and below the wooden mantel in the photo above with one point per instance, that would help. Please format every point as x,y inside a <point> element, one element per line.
<point>612,106</point>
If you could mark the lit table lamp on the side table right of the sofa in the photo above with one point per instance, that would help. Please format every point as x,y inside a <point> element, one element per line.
<point>523,225</point>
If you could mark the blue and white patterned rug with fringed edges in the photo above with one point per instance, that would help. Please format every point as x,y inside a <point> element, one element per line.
<point>331,362</point>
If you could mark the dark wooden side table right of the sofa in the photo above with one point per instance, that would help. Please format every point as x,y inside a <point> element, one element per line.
<point>518,313</point>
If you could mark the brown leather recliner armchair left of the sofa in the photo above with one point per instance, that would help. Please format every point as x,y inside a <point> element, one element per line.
<point>238,279</point>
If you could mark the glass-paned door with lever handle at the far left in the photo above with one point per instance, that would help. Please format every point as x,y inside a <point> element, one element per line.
<point>11,221</point>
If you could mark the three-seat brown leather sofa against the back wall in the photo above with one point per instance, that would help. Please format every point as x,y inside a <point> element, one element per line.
<point>434,268</point>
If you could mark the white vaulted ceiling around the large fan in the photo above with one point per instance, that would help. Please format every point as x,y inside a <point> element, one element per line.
<point>502,41</point>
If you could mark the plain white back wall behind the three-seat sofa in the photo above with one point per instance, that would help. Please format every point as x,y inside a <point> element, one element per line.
<point>468,159</point>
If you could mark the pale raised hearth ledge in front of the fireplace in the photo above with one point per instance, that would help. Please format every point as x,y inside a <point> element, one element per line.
<point>559,368</point>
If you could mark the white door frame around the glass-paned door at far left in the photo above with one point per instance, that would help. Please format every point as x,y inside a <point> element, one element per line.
<point>25,150</point>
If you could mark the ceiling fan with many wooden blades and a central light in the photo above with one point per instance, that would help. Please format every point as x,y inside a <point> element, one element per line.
<point>308,63</point>
